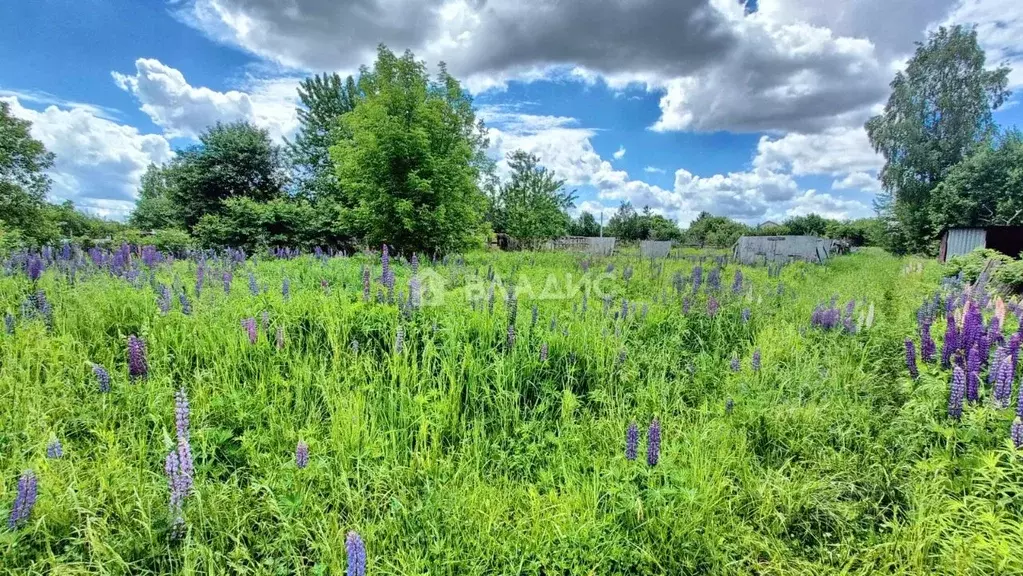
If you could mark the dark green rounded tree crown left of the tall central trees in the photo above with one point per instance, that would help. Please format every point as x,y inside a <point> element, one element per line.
<point>231,161</point>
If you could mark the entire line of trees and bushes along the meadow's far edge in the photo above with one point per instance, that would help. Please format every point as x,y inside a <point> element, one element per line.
<point>395,156</point>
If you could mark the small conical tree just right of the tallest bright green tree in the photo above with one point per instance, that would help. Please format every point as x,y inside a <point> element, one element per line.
<point>532,206</point>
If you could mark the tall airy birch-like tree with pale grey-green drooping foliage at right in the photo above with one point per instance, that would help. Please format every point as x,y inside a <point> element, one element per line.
<point>940,110</point>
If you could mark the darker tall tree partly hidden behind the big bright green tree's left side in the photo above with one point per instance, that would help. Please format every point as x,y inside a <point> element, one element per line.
<point>325,101</point>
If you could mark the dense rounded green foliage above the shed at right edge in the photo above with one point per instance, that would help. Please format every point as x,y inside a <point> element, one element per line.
<point>987,189</point>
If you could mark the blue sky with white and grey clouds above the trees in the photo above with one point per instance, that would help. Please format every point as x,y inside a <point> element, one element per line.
<point>753,112</point>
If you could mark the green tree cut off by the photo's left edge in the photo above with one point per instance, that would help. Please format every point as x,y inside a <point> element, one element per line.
<point>24,184</point>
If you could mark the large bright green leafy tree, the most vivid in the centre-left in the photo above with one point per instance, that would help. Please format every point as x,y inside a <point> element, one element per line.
<point>411,158</point>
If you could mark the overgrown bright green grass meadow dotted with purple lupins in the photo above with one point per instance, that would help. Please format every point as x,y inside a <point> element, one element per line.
<point>460,455</point>
